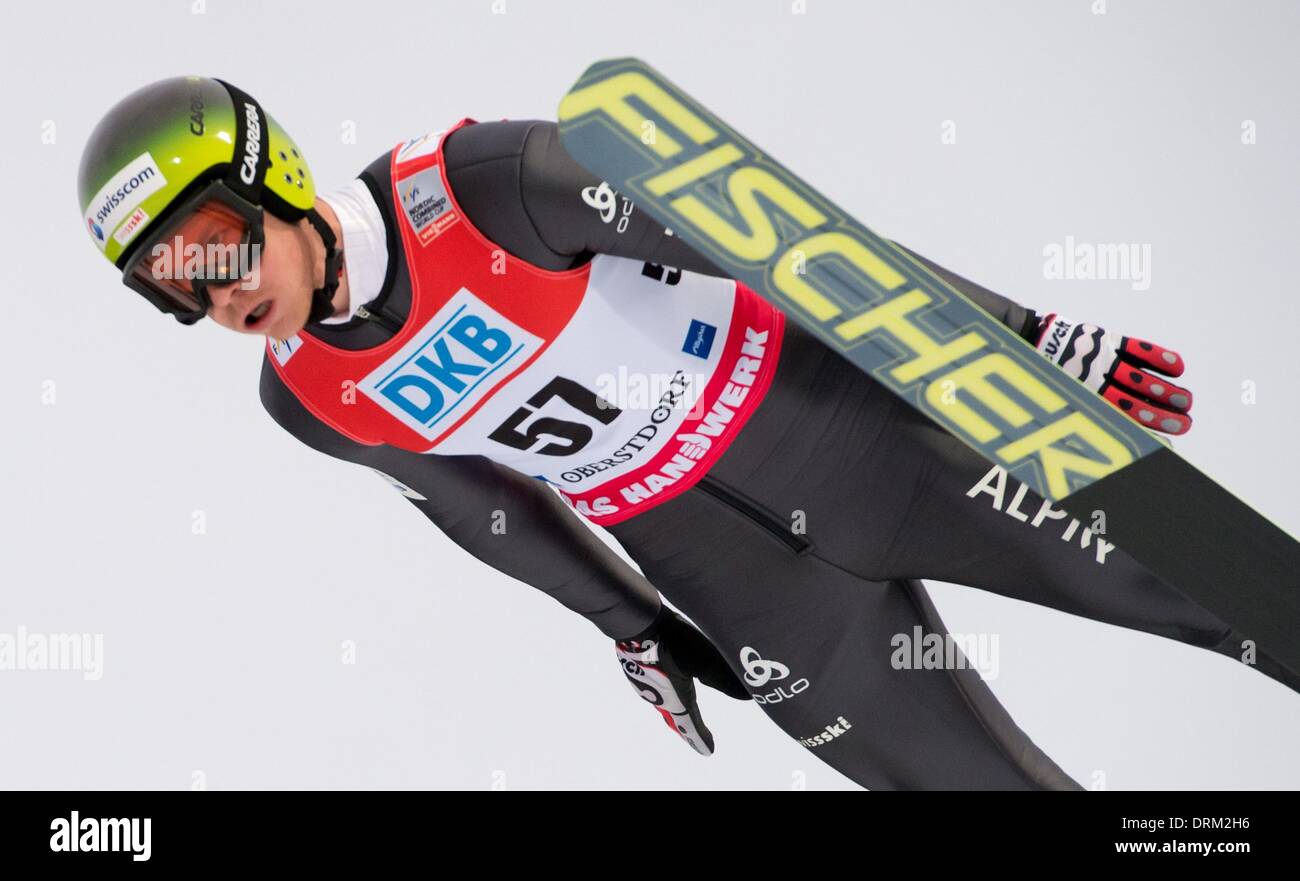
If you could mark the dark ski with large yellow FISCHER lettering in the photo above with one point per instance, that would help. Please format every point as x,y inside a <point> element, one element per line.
<point>935,349</point>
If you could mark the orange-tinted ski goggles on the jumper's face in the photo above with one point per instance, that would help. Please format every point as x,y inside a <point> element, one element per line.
<point>214,238</point>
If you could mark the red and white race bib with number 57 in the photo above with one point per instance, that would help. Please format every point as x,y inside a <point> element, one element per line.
<point>619,383</point>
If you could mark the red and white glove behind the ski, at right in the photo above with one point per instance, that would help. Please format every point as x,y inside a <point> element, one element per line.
<point>1120,370</point>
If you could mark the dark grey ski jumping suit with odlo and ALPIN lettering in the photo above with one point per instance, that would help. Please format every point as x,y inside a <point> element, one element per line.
<point>813,613</point>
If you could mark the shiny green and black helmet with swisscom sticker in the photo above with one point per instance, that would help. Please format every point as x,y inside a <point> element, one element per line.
<point>183,149</point>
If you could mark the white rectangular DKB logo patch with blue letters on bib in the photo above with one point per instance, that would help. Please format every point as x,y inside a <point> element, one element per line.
<point>458,359</point>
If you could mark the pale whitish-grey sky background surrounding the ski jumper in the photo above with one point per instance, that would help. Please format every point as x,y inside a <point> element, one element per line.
<point>223,652</point>
